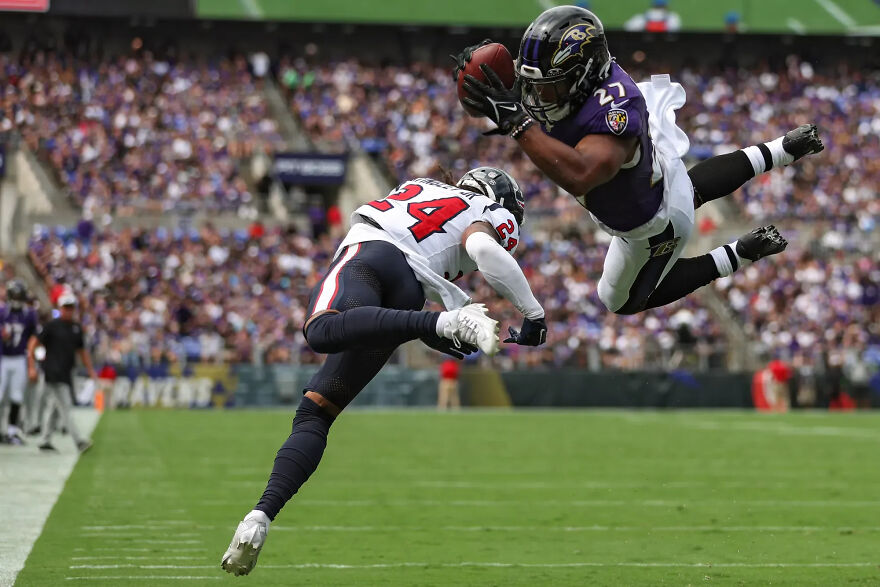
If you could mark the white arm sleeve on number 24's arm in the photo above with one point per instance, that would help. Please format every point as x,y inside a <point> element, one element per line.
<point>503,273</point>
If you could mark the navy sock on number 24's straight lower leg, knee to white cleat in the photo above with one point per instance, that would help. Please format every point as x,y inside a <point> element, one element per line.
<point>297,458</point>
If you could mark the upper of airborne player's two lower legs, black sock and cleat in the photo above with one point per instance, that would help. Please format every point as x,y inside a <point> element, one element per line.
<point>722,175</point>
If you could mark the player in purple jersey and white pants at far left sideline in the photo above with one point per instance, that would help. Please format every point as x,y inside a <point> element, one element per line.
<point>18,324</point>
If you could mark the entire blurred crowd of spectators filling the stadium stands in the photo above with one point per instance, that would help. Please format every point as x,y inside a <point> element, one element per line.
<point>139,132</point>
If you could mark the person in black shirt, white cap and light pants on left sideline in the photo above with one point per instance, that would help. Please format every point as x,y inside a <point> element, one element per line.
<point>63,340</point>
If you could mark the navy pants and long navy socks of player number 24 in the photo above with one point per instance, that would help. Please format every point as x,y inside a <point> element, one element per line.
<point>375,298</point>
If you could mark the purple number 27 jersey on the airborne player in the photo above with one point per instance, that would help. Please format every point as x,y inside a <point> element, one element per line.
<point>617,108</point>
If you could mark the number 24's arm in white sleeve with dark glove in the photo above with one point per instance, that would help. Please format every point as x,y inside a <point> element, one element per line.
<point>506,277</point>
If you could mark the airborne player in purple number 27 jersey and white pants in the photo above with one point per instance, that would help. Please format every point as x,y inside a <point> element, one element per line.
<point>613,144</point>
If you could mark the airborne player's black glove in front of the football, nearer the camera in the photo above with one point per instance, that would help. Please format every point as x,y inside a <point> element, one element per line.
<point>494,100</point>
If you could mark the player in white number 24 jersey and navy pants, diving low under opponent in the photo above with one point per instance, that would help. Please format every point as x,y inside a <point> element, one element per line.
<point>401,249</point>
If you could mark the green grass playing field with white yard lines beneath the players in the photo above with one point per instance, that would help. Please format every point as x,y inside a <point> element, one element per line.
<point>478,498</point>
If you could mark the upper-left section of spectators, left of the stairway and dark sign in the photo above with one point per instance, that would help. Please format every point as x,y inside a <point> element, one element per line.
<point>138,132</point>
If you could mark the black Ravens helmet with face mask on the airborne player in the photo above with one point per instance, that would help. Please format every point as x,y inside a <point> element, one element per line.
<point>562,58</point>
